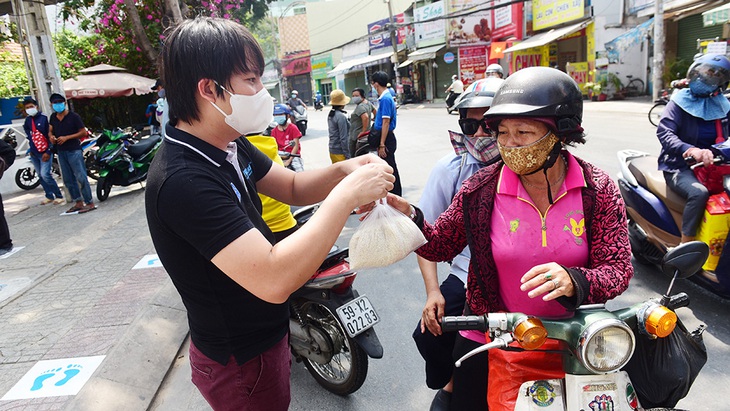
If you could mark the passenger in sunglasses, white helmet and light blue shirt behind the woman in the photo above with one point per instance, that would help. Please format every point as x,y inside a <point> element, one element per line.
<point>474,149</point>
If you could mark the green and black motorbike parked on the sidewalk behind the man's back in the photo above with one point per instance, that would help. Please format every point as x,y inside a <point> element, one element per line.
<point>121,160</point>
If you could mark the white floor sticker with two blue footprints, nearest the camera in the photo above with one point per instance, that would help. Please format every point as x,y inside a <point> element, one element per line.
<point>54,378</point>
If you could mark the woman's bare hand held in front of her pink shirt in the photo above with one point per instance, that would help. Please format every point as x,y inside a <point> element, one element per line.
<point>549,279</point>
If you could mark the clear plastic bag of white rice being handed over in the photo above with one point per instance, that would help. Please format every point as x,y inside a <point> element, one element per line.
<point>384,237</point>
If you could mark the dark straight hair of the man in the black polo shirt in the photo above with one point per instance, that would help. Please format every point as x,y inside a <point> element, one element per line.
<point>205,48</point>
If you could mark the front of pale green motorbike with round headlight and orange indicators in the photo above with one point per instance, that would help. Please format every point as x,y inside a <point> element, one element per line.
<point>595,344</point>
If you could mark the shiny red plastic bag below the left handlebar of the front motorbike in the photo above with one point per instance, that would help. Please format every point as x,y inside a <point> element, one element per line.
<point>509,369</point>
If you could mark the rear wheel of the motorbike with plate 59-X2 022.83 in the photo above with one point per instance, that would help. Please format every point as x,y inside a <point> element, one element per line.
<point>346,371</point>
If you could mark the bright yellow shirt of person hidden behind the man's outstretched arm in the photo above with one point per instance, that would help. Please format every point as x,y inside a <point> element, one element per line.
<point>276,214</point>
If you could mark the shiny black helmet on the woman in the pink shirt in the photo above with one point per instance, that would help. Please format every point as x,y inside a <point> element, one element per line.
<point>541,92</point>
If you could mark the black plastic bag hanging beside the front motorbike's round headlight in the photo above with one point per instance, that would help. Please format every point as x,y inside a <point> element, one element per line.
<point>662,370</point>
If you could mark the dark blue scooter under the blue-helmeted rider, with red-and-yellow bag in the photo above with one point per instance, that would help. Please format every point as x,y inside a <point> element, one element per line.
<point>655,216</point>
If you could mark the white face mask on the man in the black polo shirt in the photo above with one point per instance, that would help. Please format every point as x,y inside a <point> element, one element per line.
<point>249,114</point>
